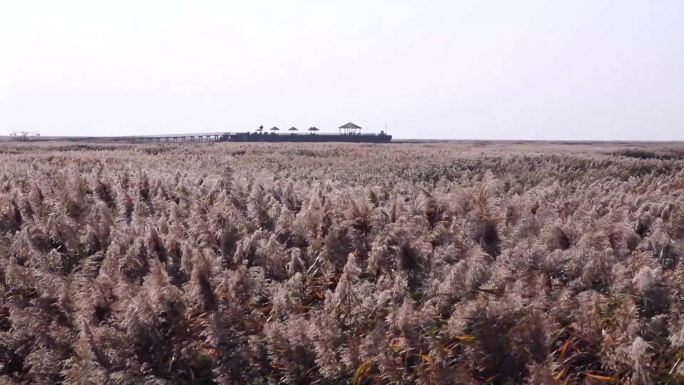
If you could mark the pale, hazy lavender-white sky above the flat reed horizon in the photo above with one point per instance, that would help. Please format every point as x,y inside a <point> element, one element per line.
<point>575,69</point>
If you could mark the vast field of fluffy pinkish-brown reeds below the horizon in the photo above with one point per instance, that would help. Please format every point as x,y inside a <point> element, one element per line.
<point>423,263</point>
